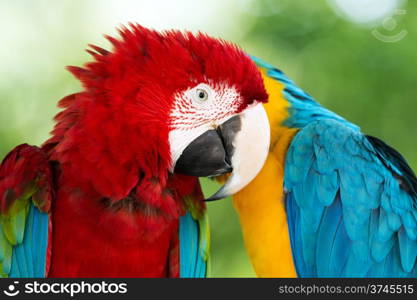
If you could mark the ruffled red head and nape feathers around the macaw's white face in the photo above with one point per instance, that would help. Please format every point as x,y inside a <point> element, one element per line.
<point>113,136</point>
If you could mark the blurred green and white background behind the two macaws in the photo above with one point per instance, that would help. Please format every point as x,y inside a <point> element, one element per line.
<point>357,57</point>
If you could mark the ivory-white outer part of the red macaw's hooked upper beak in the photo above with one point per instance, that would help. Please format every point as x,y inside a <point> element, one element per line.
<point>251,147</point>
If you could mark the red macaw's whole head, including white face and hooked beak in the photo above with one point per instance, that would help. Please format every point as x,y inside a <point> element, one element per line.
<point>165,102</point>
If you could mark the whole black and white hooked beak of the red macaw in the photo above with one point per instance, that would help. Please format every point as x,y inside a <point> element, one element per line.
<point>238,146</point>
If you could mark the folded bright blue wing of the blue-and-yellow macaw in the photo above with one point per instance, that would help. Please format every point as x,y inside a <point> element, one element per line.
<point>354,210</point>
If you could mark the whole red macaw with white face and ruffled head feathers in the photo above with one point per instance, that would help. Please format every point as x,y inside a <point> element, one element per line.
<point>115,191</point>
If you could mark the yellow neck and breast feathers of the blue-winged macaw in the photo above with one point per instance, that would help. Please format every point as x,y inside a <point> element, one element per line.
<point>261,206</point>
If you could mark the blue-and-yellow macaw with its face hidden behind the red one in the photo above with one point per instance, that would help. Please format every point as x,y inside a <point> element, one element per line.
<point>330,201</point>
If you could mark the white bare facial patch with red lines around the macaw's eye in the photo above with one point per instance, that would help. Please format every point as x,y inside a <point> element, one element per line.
<point>197,110</point>
